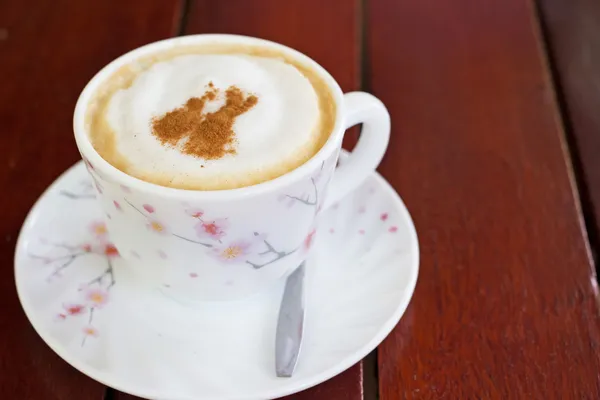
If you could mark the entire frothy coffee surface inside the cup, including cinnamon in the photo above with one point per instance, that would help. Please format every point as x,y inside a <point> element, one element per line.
<point>211,117</point>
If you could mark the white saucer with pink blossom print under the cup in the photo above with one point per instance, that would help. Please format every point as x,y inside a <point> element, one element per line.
<point>79,297</point>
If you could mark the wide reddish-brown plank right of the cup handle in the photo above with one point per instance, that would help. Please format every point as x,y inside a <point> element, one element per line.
<point>506,305</point>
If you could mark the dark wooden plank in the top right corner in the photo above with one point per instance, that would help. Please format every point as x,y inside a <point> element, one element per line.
<point>574,44</point>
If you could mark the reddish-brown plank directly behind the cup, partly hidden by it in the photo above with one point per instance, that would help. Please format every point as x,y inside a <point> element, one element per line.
<point>327,32</point>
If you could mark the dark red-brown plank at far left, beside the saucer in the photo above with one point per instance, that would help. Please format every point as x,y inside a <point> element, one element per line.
<point>48,51</point>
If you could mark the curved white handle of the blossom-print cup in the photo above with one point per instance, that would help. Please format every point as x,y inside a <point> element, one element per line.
<point>360,107</point>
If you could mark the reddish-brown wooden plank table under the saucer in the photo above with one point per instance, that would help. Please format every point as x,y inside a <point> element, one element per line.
<point>495,150</point>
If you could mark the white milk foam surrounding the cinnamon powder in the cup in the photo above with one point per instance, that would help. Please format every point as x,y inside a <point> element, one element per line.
<point>279,133</point>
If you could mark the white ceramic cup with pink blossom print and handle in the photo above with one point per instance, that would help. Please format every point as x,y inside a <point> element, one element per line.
<point>227,244</point>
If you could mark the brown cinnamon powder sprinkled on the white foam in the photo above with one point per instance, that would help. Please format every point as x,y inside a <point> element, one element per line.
<point>209,136</point>
